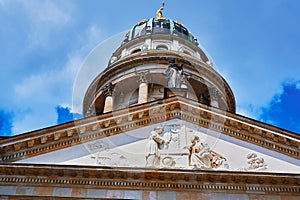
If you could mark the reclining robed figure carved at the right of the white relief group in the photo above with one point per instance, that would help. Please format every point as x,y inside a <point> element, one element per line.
<point>201,156</point>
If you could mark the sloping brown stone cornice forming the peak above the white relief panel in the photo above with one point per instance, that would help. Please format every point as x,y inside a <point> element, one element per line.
<point>117,122</point>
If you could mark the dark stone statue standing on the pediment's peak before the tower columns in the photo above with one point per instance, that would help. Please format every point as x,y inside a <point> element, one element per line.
<point>174,74</point>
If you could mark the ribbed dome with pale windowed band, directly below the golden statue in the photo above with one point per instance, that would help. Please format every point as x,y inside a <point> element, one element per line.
<point>159,34</point>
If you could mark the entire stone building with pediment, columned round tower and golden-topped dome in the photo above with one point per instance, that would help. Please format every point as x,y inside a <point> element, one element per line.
<point>153,133</point>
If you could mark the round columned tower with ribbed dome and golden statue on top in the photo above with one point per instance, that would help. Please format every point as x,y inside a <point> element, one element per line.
<point>159,58</point>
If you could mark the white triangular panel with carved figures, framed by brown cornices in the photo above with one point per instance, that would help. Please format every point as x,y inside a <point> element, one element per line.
<point>181,145</point>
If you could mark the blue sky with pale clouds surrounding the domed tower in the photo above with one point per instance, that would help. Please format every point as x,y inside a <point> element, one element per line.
<point>255,46</point>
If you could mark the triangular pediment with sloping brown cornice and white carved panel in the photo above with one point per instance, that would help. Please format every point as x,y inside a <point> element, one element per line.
<point>193,138</point>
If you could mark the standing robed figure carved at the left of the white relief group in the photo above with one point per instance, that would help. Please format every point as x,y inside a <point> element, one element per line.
<point>153,146</point>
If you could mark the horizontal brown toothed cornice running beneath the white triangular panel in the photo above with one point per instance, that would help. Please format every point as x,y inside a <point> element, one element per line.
<point>148,179</point>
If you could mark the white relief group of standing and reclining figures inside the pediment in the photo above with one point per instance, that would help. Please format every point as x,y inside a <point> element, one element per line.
<point>169,149</point>
